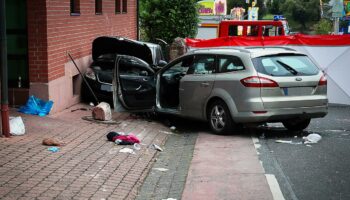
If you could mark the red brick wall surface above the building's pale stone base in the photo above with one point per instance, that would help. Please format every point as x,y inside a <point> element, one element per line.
<point>53,32</point>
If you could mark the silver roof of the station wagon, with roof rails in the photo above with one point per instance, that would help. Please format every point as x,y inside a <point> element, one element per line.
<point>252,51</point>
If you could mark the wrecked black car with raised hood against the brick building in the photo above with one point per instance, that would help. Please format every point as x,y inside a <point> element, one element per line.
<point>104,50</point>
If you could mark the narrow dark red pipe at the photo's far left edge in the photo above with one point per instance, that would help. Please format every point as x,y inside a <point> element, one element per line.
<point>3,64</point>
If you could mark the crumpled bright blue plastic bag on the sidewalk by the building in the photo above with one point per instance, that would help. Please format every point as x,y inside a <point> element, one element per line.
<point>36,106</point>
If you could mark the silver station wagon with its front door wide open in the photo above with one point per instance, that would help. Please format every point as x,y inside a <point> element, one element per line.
<point>228,87</point>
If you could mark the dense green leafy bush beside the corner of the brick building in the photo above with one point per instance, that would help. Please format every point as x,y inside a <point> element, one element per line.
<point>168,19</point>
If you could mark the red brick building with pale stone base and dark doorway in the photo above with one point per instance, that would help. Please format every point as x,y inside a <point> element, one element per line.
<point>40,34</point>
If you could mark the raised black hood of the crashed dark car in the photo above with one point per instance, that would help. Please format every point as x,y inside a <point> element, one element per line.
<point>122,46</point>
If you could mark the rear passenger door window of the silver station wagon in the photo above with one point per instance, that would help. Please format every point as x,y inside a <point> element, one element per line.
<point>203,64</point>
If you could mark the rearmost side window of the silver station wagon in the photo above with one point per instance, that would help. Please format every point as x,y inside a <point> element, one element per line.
<point>230,63</point>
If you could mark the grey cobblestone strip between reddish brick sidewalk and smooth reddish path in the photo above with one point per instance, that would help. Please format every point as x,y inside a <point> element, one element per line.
<point>176,157</point>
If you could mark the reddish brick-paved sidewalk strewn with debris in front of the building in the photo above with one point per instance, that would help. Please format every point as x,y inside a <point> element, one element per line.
<point>87,167</point>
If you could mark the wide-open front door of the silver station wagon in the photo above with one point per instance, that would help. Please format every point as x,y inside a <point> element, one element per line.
<point>133,84</point>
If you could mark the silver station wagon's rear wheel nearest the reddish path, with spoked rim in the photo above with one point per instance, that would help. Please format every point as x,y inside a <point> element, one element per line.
<point>219,118</point>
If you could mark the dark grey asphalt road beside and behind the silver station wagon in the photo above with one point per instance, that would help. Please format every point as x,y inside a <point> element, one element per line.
<point>316,171</point>
